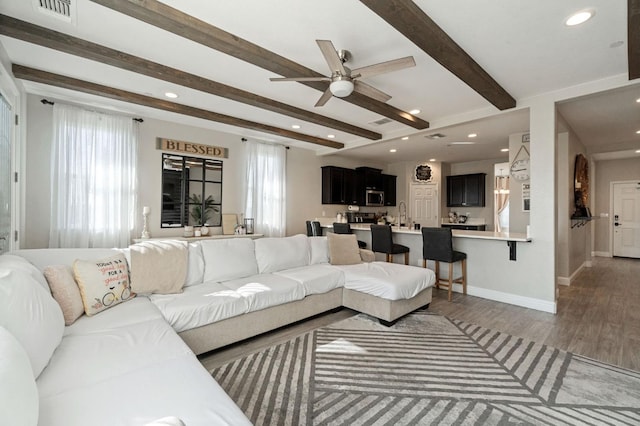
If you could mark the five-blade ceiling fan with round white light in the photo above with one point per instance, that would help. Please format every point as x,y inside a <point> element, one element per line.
<point>344,80</point>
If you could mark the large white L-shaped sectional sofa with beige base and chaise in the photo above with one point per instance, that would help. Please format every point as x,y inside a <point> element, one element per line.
<point>135,362</point>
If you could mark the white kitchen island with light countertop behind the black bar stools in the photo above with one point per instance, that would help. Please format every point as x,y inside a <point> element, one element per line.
<point>491,274</point>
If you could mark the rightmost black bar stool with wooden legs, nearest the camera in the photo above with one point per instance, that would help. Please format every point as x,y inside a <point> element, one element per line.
<point>437,245</point>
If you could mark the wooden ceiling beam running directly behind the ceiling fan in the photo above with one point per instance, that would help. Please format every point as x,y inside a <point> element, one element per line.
<point>162,16</point>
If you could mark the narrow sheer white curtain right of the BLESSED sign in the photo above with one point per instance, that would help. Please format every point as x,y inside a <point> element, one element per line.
<point>266,188</point>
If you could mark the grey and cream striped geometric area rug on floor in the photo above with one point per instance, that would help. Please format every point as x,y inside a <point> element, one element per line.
<point>426,369</point>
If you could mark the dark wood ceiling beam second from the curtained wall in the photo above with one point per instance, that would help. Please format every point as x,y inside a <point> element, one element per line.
<point>31,33</point>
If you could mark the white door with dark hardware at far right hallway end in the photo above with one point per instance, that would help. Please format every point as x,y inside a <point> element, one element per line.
<point>626,219</point>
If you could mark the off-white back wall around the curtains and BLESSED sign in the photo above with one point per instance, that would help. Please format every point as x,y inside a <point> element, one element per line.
<point>304,178</point>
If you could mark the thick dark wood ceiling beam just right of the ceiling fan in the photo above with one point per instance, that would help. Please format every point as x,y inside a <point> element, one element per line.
<point>407,17</point>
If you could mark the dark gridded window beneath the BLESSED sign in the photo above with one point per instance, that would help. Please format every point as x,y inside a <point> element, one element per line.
<point>191,191</point>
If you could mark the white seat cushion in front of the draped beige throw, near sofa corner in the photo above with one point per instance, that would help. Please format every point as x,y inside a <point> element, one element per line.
<point>200,305</point>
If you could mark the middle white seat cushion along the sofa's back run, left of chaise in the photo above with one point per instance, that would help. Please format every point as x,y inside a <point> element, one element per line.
<point>266,290</point>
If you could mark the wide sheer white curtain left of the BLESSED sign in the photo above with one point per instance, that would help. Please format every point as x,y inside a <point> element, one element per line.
<point>93,178</point>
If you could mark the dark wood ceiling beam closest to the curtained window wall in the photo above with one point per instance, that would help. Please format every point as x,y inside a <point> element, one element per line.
<point>44,77</point>
